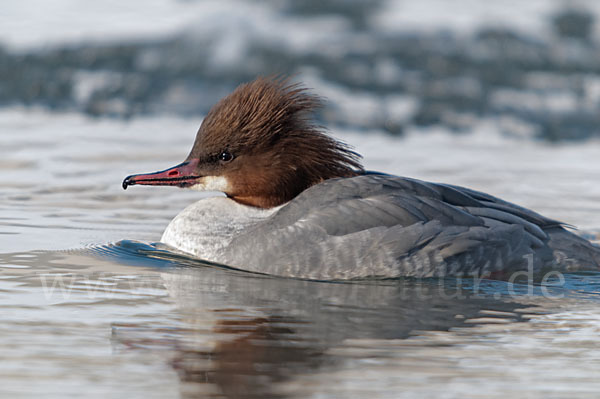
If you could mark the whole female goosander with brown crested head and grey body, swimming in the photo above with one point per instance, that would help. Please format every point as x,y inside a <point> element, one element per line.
<point>299,204</point>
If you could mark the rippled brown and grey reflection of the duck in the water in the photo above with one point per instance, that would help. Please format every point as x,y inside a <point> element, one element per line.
<point>252,336</point>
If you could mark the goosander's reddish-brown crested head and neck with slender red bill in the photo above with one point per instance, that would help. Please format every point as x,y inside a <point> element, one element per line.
<point>260,147</point>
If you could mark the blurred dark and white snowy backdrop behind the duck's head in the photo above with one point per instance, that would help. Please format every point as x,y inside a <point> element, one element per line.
<point>530,68</point>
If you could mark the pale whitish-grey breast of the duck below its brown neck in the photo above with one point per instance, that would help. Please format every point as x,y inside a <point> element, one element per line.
<point>205,228</point>
